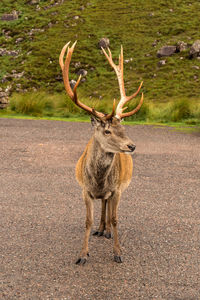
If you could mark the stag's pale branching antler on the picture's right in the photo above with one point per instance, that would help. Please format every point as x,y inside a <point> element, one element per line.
<point>119,70</point>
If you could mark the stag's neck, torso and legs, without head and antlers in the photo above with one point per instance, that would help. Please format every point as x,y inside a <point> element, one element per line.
<point>102,175</point>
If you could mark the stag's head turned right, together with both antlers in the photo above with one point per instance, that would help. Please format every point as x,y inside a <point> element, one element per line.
<point>108,131</point>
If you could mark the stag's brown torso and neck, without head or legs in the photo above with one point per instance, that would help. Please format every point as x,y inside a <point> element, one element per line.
<point>102,172</point>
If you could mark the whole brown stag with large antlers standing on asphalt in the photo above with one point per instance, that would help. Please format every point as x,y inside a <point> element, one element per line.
<point>104,170</point>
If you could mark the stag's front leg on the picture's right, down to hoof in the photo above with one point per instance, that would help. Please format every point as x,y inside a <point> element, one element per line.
<point>114,220</point>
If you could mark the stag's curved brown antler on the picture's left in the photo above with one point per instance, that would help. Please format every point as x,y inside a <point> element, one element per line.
<point>73,94</point>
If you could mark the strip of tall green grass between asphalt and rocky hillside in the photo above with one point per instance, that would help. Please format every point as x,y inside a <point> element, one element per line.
<point>40,104</point>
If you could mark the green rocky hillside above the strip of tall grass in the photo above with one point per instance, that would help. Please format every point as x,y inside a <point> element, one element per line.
<point>160,40</point>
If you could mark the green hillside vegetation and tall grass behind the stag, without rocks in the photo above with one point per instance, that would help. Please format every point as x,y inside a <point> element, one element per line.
<point>171,91</point>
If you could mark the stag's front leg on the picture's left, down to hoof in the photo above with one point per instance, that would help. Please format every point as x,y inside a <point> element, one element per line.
<point>89,220</point>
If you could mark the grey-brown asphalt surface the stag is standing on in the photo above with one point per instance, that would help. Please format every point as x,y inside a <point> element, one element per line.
<point>43,215</point>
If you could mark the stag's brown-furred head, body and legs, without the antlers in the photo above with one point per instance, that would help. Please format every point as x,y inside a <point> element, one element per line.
<point>104,171</point>
